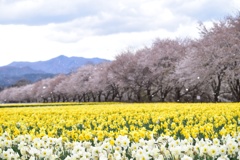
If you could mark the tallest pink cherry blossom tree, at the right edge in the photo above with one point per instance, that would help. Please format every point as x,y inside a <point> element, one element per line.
<point>213,60</point>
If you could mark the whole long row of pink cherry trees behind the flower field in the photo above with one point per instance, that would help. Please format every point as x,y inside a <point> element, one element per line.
<point>205,69</point>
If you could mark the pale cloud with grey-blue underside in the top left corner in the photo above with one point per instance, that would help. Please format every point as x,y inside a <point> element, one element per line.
<point>29,8</point>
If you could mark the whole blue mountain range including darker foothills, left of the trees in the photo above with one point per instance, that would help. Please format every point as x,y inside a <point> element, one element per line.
<point>35,71</point>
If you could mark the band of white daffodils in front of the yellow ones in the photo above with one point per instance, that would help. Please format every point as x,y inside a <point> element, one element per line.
<point>220,149</point>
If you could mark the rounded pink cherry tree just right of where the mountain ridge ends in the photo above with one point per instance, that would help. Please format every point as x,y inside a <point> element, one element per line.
<point>130,74</point>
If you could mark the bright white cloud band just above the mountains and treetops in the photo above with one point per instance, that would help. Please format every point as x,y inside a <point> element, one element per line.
<point>28,43</point>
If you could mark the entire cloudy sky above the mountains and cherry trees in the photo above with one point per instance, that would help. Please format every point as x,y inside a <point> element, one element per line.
<point>37,30</point>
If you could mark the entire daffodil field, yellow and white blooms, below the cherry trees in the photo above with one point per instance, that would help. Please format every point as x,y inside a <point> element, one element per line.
<point>121,131</point>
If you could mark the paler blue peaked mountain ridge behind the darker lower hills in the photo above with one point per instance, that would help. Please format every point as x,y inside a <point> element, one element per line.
<point>60,64</point>
